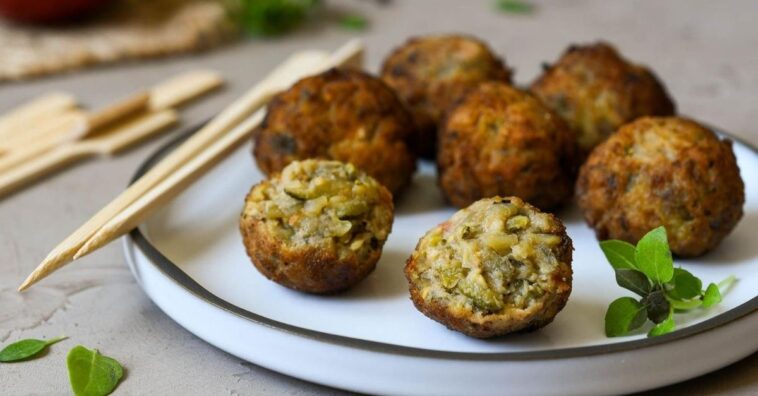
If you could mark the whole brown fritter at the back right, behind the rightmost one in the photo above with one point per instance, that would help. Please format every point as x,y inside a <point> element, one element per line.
<point>596,91</point>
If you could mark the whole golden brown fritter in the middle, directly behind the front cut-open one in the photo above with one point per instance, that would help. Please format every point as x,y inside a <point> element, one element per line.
<point>503,141</point>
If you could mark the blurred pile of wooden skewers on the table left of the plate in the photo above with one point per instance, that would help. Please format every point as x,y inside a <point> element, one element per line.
<point>50,132</point>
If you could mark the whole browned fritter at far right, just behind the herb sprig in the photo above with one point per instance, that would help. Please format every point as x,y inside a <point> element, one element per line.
<point>665,171</point>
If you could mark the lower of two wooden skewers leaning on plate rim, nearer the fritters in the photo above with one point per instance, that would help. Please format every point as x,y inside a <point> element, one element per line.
<point>178,181</point>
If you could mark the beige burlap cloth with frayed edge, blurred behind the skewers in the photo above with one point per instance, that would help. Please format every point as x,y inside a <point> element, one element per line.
<point>125,30</point>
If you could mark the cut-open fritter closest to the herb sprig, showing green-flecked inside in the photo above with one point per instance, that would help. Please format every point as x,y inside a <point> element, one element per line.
<point>496,267</point>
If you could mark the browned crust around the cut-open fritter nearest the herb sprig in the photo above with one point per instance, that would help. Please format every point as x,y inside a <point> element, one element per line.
<point>513,320</point>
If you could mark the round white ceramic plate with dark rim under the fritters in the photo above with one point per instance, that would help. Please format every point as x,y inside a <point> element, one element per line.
<point>190,261</point>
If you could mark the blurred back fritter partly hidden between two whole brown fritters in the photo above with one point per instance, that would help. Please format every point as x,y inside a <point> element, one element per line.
<point>431,73</point>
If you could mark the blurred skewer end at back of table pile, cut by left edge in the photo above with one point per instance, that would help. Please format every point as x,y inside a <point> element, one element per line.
<point>28,114</point>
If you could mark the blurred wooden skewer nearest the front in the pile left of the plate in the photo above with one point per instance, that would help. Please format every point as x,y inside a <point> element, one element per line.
<point>116,138</point>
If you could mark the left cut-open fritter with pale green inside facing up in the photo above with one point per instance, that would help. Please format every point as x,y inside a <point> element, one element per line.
<point>317,227</point>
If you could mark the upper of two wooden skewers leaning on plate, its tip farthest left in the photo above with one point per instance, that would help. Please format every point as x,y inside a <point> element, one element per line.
<point>295,67</point>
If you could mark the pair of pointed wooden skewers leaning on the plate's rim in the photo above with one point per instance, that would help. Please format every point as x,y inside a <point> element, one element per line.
<point>230,129</point>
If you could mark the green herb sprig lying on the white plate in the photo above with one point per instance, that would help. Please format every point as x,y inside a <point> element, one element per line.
<point>648,271</point>
